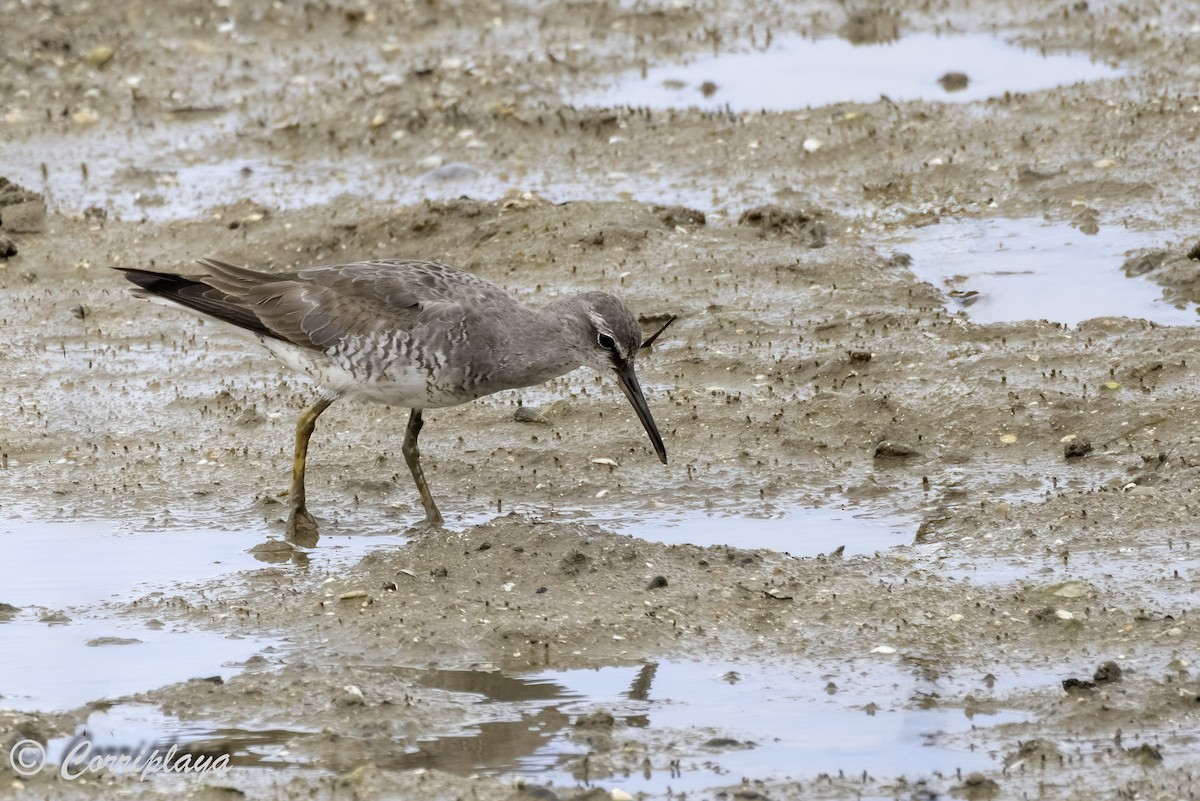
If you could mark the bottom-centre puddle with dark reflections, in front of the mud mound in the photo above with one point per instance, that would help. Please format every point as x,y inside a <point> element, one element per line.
<point>727,720</point>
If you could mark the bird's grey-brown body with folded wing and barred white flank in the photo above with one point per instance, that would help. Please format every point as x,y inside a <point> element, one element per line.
<point>406,333</point>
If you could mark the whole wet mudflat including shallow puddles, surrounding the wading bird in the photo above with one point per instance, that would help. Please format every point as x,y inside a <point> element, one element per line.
<point>1021,629</point>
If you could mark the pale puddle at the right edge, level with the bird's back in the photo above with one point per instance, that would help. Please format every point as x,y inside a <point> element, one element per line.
<point>1009,270</point>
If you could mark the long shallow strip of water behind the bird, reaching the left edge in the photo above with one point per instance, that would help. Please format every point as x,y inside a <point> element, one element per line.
<point>166,176</point>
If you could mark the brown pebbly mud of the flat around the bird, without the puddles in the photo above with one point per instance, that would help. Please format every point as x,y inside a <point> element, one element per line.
<point>1049,474</point>
